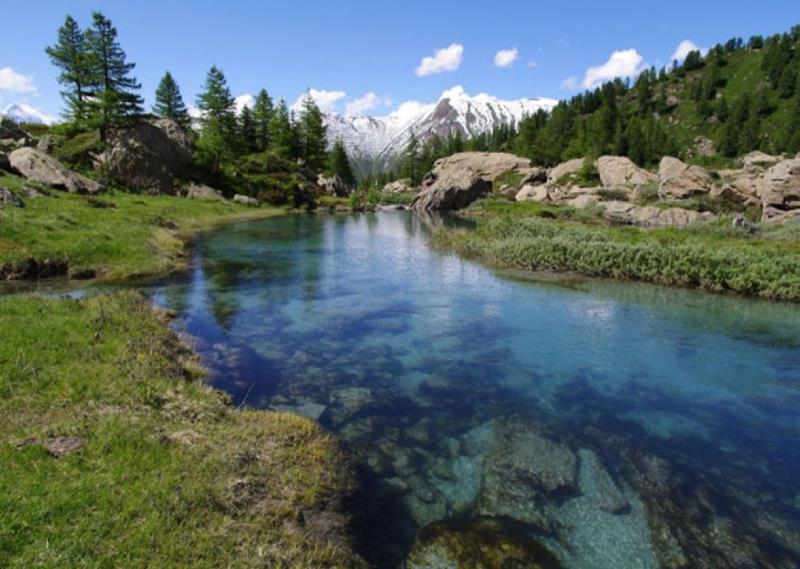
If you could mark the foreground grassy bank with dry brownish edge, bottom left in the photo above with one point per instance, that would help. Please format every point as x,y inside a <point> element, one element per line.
<point>168,474</point>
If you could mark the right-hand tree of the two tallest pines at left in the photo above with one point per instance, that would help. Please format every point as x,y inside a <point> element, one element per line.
<point>114,98</point>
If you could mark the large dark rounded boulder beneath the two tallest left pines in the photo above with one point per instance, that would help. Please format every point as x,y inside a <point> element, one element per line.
<point>148,156</point>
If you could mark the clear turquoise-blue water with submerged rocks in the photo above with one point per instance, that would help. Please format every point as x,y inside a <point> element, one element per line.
<point>681,409</point>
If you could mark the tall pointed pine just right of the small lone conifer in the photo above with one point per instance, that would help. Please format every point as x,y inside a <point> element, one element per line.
<point>218,120</point>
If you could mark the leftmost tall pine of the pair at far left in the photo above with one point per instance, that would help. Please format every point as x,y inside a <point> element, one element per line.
<point>69,55</point>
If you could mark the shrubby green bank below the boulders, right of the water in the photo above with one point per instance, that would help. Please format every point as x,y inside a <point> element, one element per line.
<point>713,256</point>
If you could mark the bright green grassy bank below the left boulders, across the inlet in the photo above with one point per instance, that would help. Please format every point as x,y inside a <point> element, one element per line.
<point>113,236</point>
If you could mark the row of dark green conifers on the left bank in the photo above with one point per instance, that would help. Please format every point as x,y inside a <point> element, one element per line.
<point>100,92</point>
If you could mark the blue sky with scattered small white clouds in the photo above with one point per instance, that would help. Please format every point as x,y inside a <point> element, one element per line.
<point>346,51</point>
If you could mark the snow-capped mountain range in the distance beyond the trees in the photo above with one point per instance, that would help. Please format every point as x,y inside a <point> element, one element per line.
<point>373,142</point>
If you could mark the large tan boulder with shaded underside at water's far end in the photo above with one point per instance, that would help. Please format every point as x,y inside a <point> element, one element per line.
<point>458,180</point>
